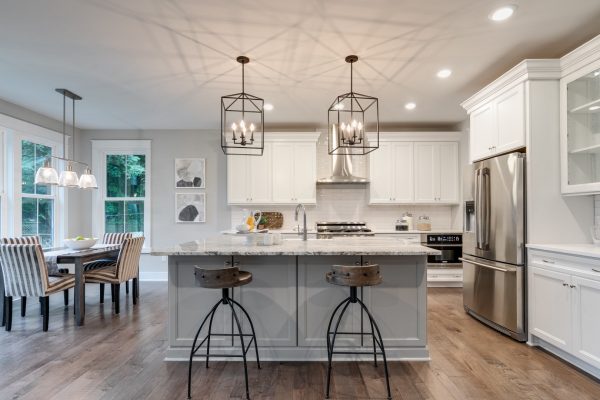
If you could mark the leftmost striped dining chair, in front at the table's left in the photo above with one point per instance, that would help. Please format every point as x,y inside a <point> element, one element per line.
<point>25,274</point>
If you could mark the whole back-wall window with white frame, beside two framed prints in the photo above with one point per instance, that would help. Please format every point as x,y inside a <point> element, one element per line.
<point>122,202</point>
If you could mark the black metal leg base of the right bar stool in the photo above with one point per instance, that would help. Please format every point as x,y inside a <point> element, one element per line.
<point>375,335</point>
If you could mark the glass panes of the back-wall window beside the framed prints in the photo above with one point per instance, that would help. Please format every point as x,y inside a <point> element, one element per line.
<point>125,193</point>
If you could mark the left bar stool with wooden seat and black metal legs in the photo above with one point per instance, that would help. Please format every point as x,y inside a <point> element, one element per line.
<point>224,279</point>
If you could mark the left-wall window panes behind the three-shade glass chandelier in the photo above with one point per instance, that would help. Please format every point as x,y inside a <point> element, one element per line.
<point>37,201</point>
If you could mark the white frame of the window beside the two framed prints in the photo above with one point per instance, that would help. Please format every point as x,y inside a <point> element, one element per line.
<point>103,148</point>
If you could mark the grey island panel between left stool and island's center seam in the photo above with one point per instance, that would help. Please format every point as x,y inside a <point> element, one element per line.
<point>270,299</point>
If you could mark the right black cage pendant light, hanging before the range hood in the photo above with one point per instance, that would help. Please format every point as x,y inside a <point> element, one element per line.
<point>353,121</point>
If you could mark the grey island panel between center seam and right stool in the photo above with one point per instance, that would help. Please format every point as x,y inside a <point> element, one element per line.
<point>317,300</point>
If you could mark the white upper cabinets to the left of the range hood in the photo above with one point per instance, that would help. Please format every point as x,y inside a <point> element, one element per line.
<point>284,174</point>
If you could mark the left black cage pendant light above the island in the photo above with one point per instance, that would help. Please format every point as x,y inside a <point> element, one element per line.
<point>242,121</point>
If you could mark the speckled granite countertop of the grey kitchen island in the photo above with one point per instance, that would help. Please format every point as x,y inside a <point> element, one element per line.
<point>231,245</point>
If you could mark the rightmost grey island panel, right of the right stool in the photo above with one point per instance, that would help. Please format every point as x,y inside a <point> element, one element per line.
<point>399,303</point>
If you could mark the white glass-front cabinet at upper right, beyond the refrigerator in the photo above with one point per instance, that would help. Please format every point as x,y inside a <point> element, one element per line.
<point>580,130</point>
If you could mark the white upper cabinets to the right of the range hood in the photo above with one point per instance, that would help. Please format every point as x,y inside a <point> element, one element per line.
<point>403,171</point>
